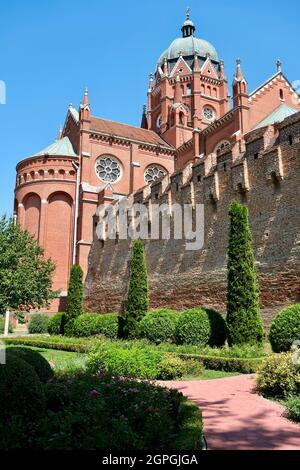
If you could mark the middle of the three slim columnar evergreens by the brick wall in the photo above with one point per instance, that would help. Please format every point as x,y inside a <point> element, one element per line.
<point>138,291</point>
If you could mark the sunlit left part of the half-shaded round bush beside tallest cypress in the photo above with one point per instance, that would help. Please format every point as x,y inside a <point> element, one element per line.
<point>193,327</point>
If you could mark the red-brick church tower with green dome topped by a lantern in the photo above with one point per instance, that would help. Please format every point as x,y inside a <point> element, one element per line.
<point>189,89</point>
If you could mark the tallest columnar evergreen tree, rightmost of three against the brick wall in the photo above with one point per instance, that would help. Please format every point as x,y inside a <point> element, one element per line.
<point>244,323</point>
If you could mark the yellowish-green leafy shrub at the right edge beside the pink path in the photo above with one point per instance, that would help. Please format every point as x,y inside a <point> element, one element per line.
<point>278,376</point>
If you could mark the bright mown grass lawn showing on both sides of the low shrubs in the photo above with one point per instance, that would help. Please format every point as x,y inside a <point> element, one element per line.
<point>64,360</point>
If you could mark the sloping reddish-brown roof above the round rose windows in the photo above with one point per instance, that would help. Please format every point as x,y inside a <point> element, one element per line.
<point>124,130</point>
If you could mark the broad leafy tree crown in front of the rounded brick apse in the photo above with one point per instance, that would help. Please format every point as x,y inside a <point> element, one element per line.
<point>25,275</point>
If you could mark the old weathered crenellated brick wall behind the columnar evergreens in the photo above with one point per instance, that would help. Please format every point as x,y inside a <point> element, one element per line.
<point>266,176</point>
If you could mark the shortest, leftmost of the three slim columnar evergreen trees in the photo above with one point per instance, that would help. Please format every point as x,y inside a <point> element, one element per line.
<point>75,293</point>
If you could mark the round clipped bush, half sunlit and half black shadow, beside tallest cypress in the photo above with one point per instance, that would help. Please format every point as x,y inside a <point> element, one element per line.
<point>199,326</point>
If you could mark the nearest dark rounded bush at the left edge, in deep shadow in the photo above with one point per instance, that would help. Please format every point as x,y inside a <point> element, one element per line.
<point>21,391</point>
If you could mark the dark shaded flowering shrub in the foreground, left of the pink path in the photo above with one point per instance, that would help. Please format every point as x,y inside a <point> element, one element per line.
<point>88,412</point>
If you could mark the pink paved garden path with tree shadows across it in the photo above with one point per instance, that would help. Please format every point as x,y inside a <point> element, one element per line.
<point>236,418</point>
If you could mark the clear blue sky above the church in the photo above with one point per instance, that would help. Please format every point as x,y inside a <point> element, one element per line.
<point>51,49</point>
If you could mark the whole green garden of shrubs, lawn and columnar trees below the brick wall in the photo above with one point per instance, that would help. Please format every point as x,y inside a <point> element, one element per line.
<point>90,380</point>
